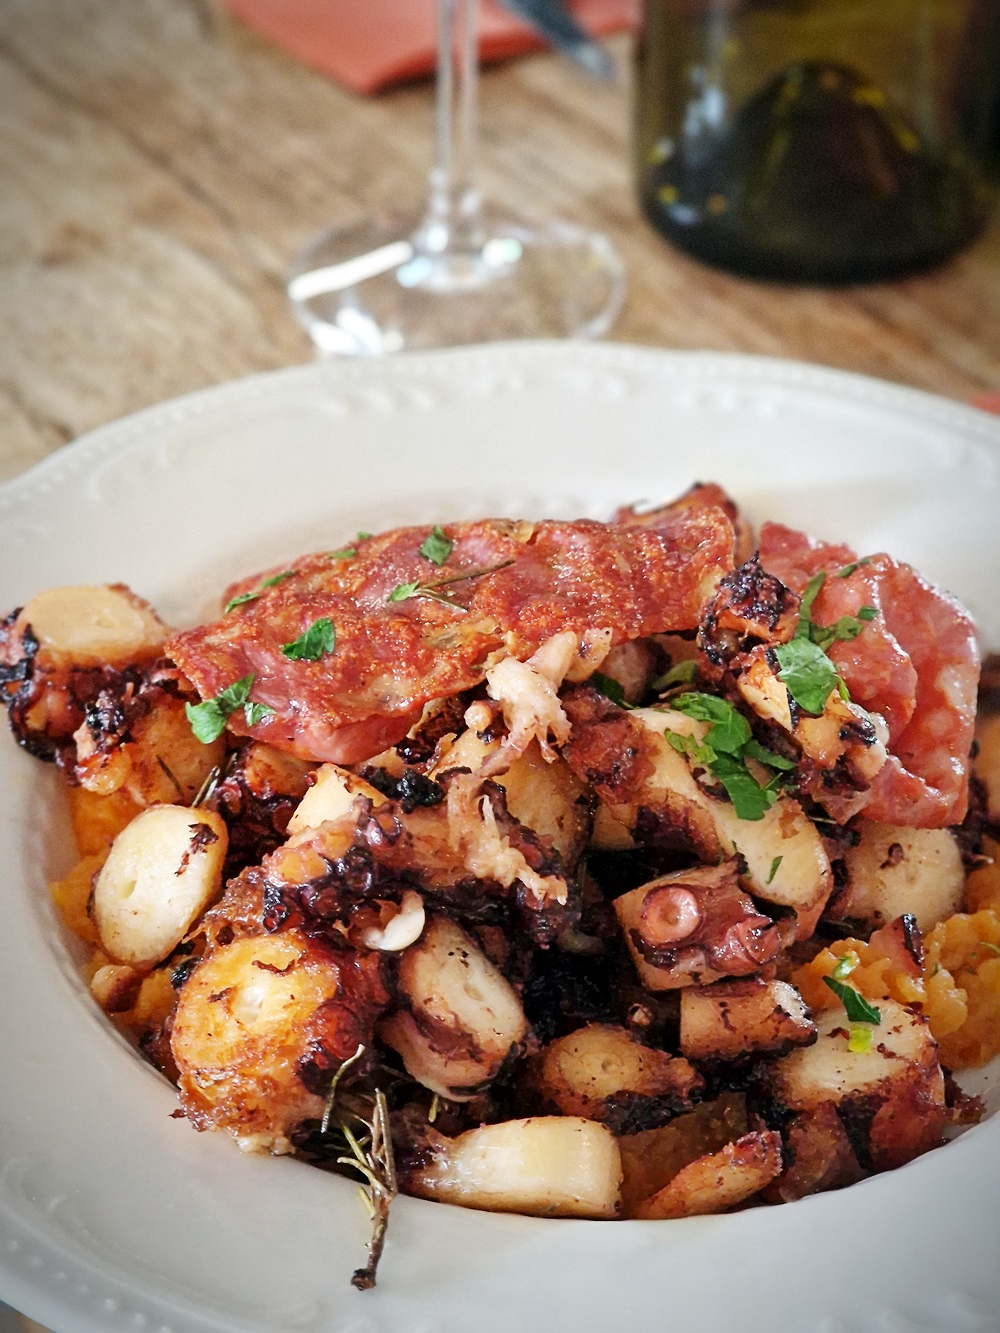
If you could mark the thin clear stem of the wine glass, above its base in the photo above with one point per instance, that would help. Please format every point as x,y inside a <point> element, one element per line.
<point>454,209</point>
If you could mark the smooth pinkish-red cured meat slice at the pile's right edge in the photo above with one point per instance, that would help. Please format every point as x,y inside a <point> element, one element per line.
<point>917,665</point>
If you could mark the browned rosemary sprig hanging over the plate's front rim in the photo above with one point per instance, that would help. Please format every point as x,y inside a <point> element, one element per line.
<point>371,1156</point>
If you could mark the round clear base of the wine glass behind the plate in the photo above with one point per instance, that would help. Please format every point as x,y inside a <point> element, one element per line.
<point>381,286</point>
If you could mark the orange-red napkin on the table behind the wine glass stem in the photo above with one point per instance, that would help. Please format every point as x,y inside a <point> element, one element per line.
<point>367,45</point>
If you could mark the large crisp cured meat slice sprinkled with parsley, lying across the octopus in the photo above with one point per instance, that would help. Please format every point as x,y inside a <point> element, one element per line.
<point>409,629</point>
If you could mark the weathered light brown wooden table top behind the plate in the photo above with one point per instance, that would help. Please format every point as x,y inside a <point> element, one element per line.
<point>161,166</point>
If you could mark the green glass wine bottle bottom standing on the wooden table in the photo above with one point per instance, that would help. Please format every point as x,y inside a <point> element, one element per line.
<point>811,141</point>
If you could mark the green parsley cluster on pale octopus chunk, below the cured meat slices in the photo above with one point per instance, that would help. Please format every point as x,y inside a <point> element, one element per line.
<point>725,752</point>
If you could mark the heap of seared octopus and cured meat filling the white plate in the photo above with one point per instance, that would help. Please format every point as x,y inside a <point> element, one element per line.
<point>605,870</point>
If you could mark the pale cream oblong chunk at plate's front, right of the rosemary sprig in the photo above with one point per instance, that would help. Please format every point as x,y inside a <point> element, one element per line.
<point>545,1167</point>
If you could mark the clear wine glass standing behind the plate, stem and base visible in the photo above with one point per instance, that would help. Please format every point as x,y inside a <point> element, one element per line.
<point>455,271</point>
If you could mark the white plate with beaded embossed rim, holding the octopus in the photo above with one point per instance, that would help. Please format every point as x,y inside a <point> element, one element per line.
<point>117,1218</point>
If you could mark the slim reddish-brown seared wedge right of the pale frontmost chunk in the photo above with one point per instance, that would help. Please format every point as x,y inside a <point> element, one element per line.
<point>721,1182</point>
